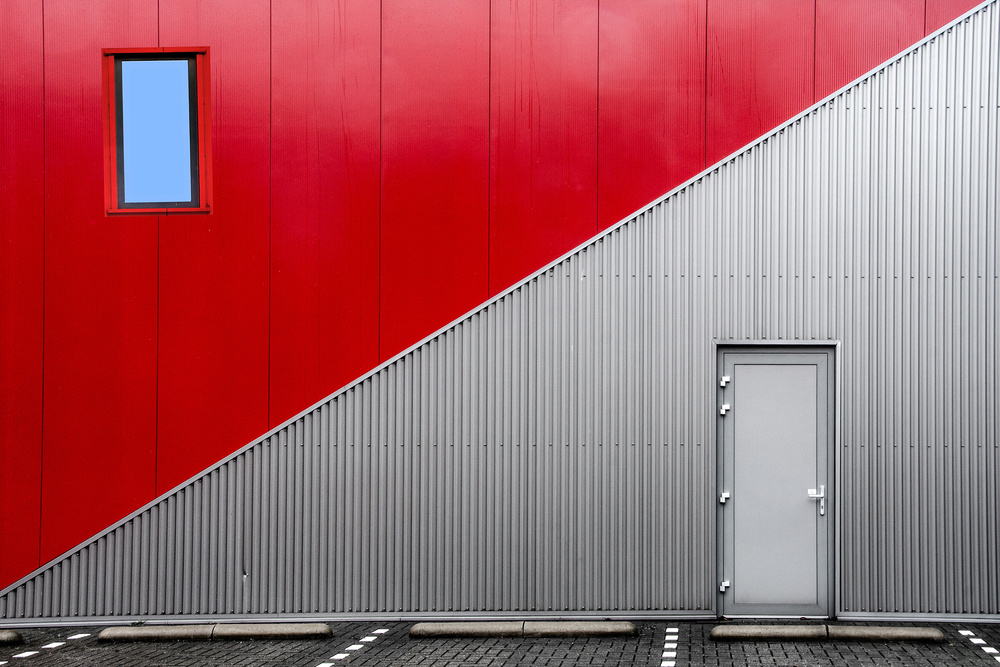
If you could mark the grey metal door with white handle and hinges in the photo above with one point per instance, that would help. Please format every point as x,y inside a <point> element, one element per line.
<point>776,435</point>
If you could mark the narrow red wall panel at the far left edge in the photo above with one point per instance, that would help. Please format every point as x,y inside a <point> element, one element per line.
<point>21,274</point>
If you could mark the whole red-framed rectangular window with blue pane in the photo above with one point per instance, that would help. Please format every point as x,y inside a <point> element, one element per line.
<point>157,131</point>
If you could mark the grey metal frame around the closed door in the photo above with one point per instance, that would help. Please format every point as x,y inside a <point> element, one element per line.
<point>831,349</point>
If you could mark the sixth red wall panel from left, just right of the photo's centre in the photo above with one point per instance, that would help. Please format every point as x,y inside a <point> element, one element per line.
<point>543,134</point>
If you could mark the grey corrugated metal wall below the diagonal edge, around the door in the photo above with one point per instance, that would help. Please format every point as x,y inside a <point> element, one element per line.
<point>553,451</point>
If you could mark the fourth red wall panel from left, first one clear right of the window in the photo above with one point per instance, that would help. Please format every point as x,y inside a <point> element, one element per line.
<point>324,199</point>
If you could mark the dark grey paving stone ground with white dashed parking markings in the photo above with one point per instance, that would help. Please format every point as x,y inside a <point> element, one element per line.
<point>395,649</point>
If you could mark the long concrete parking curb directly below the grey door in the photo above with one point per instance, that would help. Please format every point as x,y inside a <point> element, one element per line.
<point>823,632</point>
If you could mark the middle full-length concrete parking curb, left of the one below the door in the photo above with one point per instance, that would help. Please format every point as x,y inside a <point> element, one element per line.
<point>524,629</point>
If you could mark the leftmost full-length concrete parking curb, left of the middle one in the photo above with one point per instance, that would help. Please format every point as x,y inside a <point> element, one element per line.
<point>166,633</point>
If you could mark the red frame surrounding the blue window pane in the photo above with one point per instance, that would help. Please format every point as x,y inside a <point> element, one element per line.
<point>204,131</point>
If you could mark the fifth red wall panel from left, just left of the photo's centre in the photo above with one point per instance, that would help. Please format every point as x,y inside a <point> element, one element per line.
<point>435,165</point>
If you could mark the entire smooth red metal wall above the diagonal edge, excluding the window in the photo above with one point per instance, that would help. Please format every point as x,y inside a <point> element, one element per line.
<point>380,168</point>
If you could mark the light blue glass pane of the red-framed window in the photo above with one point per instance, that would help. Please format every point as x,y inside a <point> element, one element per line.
<point>156,131</point>
